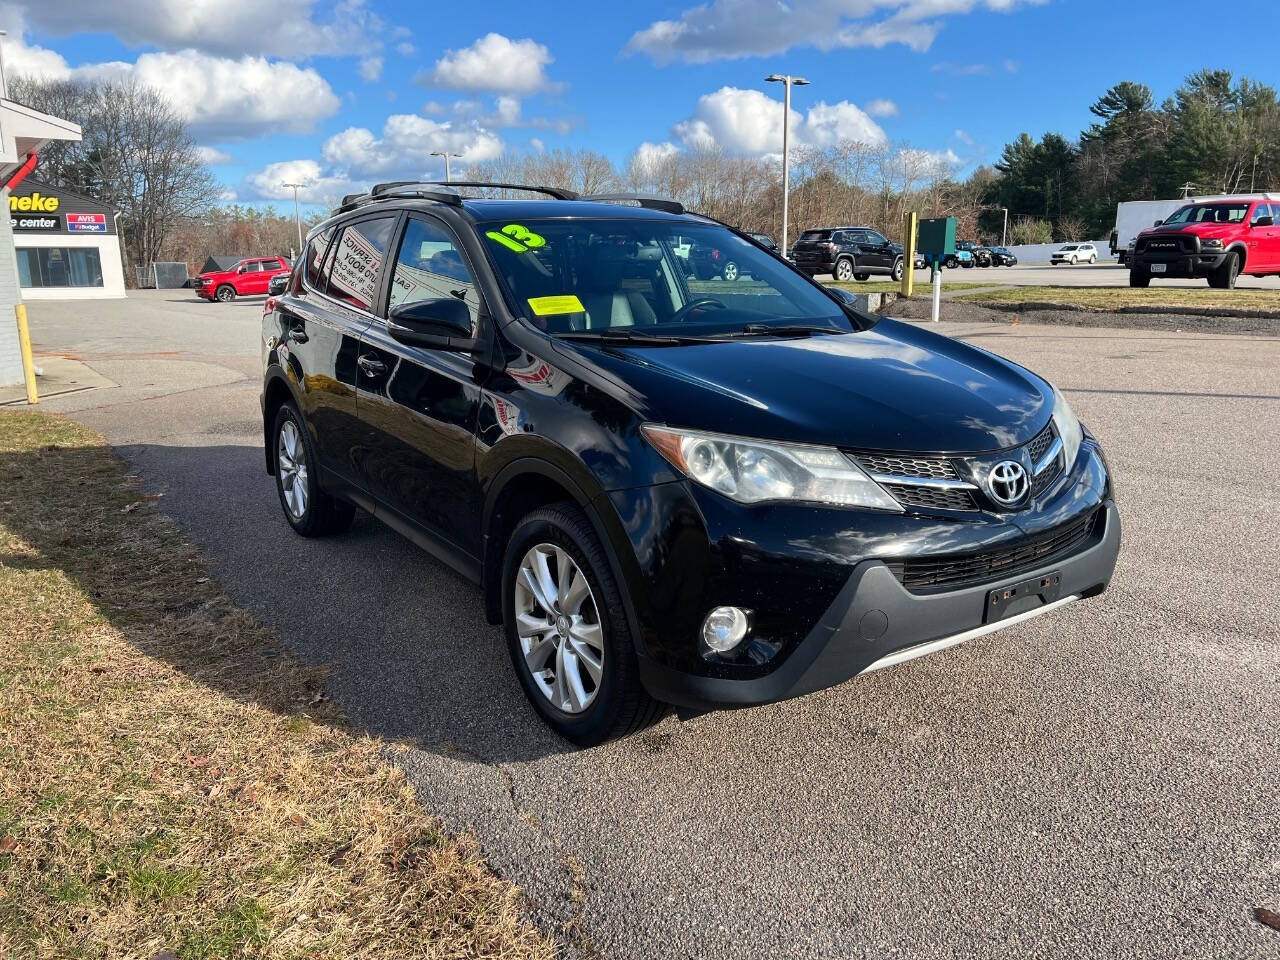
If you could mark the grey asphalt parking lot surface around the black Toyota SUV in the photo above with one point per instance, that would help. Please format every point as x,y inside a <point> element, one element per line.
<point>1101,783</point>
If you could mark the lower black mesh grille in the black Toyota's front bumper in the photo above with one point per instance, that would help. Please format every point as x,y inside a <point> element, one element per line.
<point>925,574</point>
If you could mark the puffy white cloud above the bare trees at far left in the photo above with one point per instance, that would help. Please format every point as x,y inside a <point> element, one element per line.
<point>218,97</point>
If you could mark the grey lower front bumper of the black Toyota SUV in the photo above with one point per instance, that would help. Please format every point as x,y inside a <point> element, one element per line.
<point>876,623</point>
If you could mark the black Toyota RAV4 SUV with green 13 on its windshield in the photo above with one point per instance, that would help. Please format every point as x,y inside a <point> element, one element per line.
<point>705,493</point>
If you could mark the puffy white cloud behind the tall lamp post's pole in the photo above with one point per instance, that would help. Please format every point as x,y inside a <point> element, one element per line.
<point>751,122</point>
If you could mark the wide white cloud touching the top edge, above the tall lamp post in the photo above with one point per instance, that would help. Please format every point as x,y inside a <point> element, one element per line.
<point>725,30</point>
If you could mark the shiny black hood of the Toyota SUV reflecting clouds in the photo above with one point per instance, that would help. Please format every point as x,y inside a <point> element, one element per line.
<point>895,387</point>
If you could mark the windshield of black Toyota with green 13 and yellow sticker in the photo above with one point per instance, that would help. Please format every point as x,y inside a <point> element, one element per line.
<point>650,278</point>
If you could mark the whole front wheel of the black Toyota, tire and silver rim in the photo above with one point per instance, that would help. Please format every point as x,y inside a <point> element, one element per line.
<point>568,634</point>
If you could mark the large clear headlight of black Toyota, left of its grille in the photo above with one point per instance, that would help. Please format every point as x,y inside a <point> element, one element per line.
<point>755,472</point>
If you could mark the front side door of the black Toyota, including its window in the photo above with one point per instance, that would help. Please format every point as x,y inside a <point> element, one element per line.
<point>419,406</point>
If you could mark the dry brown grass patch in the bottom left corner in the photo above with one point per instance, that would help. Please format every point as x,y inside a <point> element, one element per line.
<point>170,778</point>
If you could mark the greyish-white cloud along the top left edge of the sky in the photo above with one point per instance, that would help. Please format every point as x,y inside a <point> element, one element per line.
<point>230,28</point>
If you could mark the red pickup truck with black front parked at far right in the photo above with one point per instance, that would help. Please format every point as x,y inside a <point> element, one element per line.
<point>1218,241</point>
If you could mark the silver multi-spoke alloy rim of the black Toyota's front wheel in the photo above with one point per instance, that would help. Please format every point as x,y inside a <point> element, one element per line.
<point>560,630</point>
